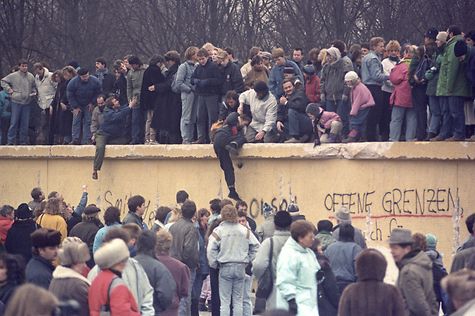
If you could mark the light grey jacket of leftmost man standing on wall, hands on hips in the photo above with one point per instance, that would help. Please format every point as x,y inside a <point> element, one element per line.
<point>22,84</point>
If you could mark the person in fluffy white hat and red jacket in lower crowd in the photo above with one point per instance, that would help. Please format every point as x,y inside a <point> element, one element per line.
<point>108,292</point>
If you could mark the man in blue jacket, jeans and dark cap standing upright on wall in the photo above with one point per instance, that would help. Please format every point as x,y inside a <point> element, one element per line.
<point>82,92</point>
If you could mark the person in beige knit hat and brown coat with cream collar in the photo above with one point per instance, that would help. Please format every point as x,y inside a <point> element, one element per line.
<point>68,282</point>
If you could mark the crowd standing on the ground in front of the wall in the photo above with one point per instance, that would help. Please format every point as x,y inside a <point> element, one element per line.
<point>62,260</point>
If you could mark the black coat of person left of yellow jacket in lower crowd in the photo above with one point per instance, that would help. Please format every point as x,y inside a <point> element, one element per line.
<point>18,239</point>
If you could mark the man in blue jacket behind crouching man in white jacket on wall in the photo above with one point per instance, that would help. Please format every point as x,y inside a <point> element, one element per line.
<point>276,77</point>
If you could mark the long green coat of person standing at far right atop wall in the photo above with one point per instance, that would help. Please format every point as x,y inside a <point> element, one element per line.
<point>452,78</point>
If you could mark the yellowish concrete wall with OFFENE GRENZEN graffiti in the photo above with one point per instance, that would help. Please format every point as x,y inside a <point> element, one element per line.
<point>427,187</point>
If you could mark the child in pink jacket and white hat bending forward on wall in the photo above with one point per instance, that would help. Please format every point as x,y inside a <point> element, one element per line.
<point>361,101</point>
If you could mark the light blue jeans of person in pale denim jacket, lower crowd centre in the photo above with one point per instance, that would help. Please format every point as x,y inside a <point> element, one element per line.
<point>231,288</point>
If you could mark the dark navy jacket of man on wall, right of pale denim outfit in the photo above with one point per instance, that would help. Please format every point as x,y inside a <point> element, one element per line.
<point>207,79</point>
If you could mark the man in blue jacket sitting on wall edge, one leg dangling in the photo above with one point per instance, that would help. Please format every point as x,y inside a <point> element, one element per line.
<point>112,129</point>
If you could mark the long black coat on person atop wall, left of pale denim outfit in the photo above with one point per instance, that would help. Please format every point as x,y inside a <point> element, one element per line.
<point>167,113</point>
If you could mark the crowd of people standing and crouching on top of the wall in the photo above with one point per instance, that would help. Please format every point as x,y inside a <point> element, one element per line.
<point>375,91</point>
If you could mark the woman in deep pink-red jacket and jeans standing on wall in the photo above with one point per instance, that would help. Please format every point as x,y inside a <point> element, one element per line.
<point>401,100</point>
